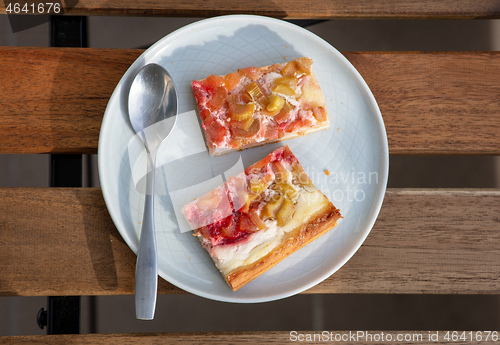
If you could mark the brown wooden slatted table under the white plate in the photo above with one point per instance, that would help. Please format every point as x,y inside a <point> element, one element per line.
<point>425,241</point>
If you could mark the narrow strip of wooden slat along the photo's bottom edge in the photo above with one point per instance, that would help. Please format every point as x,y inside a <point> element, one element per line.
<point>358,337</point>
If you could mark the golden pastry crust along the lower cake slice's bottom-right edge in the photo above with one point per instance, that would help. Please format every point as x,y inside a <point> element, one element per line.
<point>324,221</point>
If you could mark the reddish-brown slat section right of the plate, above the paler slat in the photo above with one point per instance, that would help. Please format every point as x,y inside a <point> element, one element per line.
<point>436,103</point>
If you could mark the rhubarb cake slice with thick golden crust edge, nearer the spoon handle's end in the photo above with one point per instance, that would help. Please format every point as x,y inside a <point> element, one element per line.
<point>257,218</point>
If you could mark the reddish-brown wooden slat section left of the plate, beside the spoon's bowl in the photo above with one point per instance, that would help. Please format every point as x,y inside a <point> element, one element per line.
<point>61,110</point>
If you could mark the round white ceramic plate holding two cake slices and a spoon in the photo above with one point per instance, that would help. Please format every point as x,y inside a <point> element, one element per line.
<point>354,150</point>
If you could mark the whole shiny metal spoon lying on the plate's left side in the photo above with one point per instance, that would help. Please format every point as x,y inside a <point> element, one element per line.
<point>152,106</point>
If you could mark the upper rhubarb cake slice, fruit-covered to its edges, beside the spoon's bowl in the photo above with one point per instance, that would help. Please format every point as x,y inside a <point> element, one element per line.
<point>257,105</point>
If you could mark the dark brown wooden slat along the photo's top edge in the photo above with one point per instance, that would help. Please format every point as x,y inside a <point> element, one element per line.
<point>284,8</point>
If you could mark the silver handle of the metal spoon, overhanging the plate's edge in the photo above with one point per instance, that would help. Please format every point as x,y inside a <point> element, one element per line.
<point>146,269</point>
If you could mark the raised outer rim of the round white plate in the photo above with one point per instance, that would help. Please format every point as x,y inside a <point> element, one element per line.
<point>379,194</point>
